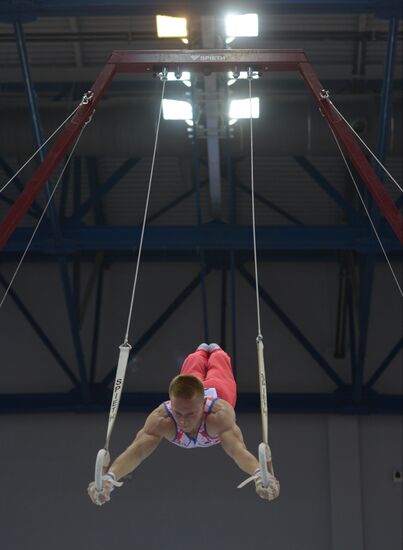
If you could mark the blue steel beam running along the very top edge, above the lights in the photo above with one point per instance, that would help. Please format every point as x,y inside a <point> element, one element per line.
<point>65,8</point>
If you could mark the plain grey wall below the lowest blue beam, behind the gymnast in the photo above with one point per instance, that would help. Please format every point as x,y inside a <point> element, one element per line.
<point>179,499</point>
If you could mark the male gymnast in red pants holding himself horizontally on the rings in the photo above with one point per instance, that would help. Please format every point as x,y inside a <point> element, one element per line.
<point>200,413</point>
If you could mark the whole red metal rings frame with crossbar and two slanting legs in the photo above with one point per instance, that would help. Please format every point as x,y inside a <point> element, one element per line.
<point>207,61</point>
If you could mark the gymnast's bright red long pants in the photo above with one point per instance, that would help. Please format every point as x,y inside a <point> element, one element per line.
<point>214,370</point>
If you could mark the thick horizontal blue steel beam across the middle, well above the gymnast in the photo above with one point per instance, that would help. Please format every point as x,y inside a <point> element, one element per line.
<point>212,236</point>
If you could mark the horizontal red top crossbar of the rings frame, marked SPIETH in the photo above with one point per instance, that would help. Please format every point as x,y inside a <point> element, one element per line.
<point>206,60</point>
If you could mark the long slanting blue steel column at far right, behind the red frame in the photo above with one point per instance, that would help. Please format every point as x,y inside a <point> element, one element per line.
<point>368,267</point>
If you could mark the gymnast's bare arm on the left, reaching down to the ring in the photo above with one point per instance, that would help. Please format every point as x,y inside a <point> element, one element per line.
<point>145,442</point>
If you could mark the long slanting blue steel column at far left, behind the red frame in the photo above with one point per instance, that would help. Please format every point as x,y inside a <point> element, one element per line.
<point>72,312</point>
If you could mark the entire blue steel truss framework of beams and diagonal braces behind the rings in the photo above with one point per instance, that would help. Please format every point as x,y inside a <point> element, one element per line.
<point>227,242</point>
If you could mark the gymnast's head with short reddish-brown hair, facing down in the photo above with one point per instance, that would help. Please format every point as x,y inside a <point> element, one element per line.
<point>186,393</point>
